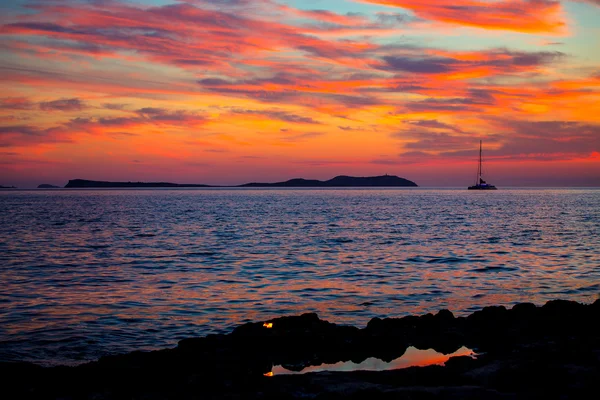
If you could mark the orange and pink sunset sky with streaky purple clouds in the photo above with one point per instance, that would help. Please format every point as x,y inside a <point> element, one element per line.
<point>232,91</point>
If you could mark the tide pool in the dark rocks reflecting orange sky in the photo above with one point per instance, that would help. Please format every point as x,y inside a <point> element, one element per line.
<point>413,357</point>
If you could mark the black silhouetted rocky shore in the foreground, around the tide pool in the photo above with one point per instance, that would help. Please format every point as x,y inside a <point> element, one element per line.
<point>525,352</point>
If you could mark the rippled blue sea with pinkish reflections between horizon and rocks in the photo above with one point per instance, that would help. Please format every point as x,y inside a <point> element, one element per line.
<point>84,273</point>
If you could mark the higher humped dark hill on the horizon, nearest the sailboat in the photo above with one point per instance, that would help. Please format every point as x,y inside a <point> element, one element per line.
<point>341,181</point>
